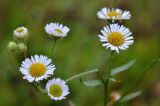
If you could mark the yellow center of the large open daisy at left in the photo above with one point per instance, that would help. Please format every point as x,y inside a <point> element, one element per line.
<point>37,69</point>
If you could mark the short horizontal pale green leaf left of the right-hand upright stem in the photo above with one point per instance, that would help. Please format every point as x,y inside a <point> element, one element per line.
<point>91,83</point>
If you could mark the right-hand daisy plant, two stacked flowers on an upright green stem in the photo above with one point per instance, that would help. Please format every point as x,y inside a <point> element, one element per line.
<point>115,37</point>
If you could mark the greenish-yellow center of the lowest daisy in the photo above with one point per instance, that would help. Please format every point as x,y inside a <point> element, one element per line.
<point>55,90</point>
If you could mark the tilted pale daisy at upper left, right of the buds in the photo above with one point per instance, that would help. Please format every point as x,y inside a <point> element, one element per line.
<point>57,30</point>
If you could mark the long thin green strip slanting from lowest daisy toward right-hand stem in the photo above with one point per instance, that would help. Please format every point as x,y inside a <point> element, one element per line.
<point>81,74</point>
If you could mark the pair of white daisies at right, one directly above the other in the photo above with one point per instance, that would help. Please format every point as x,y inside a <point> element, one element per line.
<point>114,36</point>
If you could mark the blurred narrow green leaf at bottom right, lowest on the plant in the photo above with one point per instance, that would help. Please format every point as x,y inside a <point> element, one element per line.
<point>130,96</point>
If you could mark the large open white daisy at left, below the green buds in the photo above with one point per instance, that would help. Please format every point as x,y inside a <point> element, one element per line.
<point>37,68</point>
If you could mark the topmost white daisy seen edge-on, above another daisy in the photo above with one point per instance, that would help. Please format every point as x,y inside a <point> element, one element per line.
<point>113,14</point>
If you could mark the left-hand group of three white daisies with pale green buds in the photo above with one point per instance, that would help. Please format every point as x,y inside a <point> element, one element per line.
<point>40,67</point>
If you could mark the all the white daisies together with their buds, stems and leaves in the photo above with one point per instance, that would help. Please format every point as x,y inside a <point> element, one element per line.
<point>35,68</point>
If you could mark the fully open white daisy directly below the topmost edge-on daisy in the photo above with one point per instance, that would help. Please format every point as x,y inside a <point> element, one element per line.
<point>116,37</point>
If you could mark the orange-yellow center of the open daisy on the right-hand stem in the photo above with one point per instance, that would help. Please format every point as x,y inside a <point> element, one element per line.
<point>116,38</point>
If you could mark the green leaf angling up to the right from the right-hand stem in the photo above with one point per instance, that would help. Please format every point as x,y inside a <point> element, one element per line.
<point>122,68</point>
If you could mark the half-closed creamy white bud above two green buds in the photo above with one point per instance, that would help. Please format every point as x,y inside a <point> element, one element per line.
<point>21,33</point>
